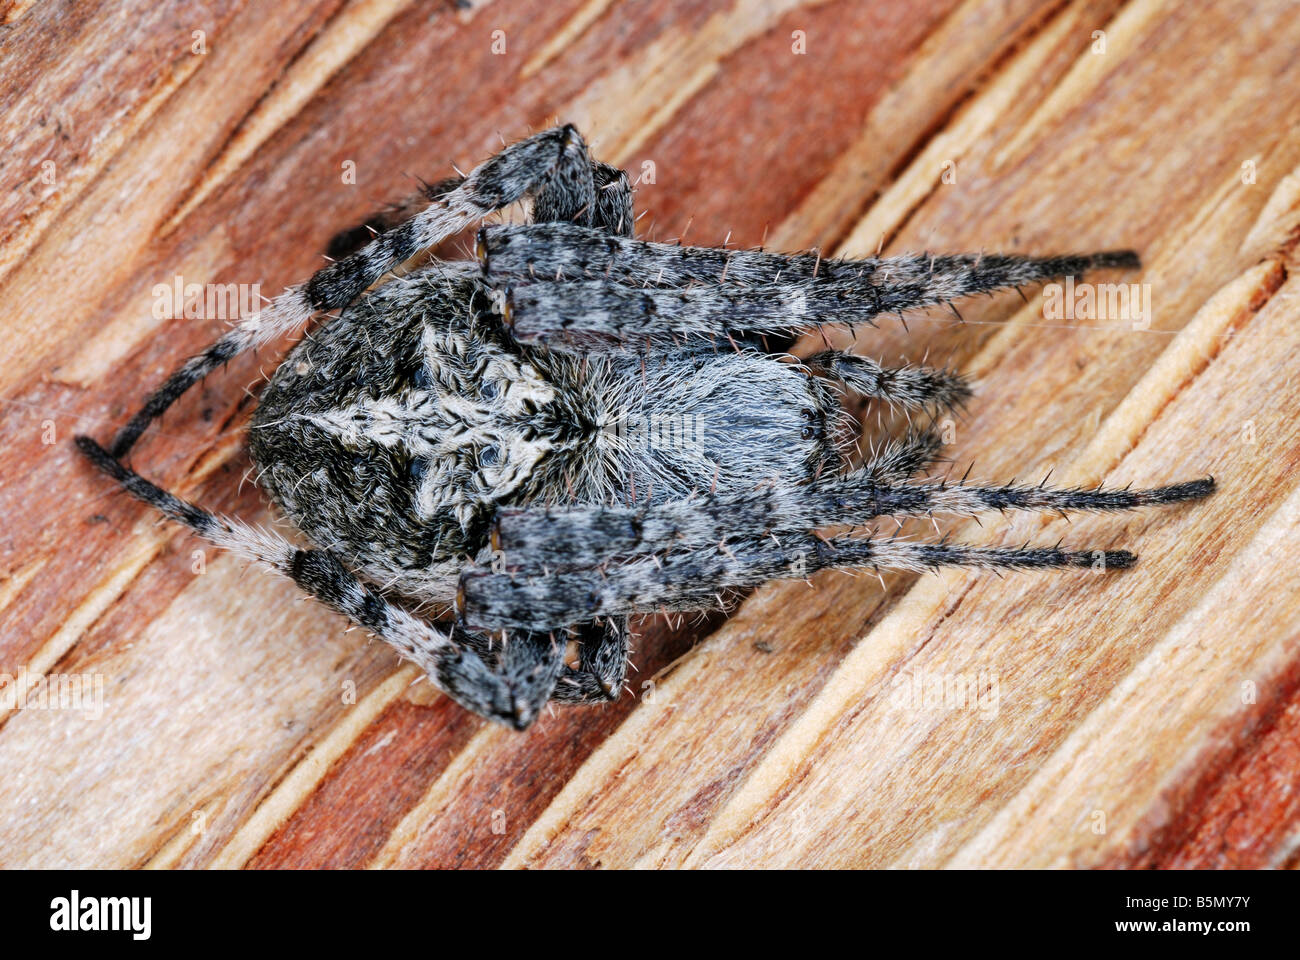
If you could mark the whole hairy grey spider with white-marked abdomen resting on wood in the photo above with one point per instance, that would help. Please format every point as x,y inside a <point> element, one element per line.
<point>499,461</point>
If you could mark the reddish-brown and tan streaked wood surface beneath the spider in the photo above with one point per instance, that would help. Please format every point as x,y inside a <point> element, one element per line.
<point>1143,719</point>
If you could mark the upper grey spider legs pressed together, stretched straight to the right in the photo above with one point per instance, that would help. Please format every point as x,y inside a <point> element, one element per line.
<point>571,287</point>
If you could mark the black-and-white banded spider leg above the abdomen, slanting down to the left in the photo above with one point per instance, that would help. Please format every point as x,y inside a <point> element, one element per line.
<point>554,161</point>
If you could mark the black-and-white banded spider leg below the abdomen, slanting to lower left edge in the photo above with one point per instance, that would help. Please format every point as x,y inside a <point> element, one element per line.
<point>527,671</point>
